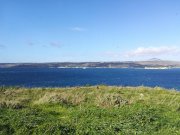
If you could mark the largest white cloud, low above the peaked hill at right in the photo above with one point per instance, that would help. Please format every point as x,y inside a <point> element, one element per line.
<point>153,51</point>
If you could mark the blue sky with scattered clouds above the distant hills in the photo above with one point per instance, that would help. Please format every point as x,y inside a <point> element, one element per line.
<point>89,30</point>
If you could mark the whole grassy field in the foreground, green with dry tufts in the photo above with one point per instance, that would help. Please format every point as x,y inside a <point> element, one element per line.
<point>89,110</point>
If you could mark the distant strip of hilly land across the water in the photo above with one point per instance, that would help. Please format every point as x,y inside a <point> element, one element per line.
<point>152,63</point>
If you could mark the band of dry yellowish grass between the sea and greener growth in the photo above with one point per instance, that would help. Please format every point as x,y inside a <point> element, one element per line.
<point>103,96</point>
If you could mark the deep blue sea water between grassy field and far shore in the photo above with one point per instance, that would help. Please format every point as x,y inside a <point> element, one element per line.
<point>62,77</point>
